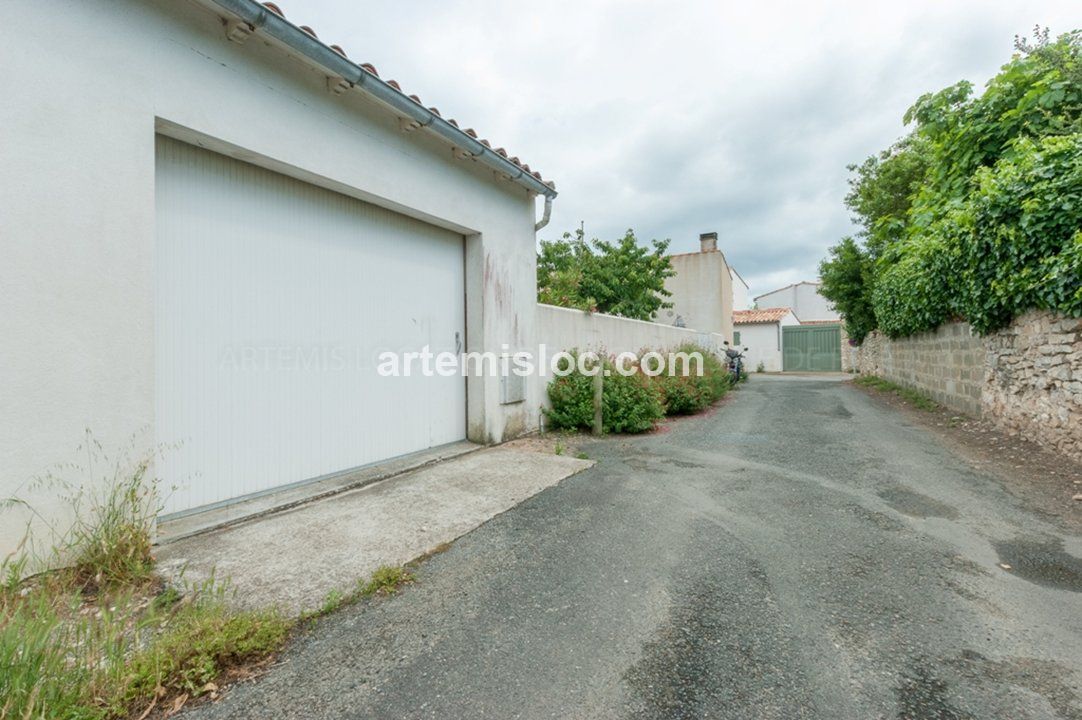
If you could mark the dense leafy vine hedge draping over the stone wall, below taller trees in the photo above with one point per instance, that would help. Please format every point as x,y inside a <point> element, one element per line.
<point>1013,245</point>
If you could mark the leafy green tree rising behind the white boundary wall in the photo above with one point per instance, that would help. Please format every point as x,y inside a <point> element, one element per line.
<point>619,279</point>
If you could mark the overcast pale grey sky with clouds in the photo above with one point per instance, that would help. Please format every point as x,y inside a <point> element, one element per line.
<point>676,119</point>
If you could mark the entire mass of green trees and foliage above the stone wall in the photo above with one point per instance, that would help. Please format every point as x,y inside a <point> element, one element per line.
<point>978,214</point>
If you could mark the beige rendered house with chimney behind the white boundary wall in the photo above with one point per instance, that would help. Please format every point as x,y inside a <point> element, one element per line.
<point>702,291</point>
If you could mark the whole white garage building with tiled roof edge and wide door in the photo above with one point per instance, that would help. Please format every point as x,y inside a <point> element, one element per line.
<point>213,224</point>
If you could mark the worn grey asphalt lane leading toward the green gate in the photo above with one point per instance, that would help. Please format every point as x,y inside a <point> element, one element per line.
<point>803,553</point>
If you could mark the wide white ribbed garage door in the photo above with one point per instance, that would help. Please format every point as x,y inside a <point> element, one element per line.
<point>275,299</point>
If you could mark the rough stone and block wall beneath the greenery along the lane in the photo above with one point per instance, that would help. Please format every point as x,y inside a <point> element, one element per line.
<point>1026,378</point>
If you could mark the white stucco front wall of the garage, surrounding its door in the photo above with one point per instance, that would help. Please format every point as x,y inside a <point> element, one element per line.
<point>87,86</point>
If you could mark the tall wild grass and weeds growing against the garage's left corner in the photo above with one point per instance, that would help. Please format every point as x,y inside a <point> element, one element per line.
<point>90,642</point>
